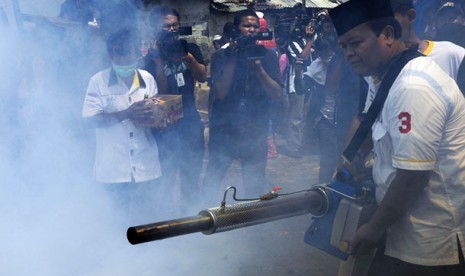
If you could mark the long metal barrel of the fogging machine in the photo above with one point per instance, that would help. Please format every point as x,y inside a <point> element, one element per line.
<point>230,217</point>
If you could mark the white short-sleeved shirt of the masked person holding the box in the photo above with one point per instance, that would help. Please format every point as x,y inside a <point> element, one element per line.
<point>123,150</point>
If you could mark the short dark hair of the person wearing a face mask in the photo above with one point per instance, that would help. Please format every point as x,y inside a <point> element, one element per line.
<point>122,41</point>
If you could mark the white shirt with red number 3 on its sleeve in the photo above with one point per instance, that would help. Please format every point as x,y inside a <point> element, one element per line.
<point>422,127</point>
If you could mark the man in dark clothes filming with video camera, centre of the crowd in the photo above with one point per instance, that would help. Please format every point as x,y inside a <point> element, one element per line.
<point>245,79</point>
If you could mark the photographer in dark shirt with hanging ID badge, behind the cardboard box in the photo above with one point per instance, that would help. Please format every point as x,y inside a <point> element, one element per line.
<point>176,65</point>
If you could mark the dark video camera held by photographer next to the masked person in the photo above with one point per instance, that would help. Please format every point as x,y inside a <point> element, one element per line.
<point>170,44</point>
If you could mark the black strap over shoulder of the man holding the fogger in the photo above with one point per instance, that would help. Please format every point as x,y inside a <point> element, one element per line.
<point>375,108</point>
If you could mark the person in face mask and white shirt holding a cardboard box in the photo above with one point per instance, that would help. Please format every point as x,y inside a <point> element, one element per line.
<point>126,153</point>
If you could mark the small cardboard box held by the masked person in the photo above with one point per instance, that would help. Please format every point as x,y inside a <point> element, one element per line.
<point>164,106</point>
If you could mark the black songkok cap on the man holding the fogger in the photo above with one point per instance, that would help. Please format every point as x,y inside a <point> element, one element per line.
<point>355,12</point>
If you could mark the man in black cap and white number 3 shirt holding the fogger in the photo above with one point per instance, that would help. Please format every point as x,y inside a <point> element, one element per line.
<point>419,146</point>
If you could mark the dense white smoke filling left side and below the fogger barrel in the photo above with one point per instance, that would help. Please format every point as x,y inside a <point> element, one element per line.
<point>56,220</point>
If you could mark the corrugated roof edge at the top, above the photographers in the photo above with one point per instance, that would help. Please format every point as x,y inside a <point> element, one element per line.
<point>237,5</point>
